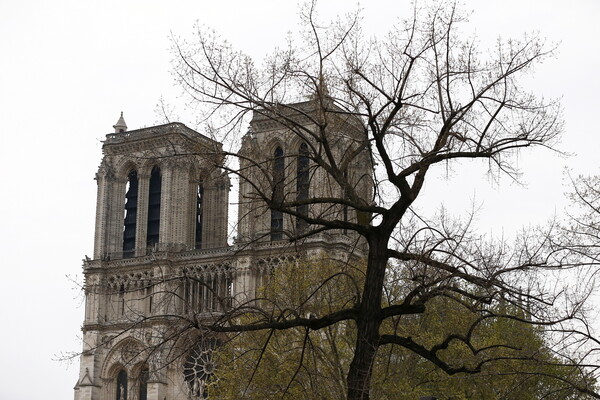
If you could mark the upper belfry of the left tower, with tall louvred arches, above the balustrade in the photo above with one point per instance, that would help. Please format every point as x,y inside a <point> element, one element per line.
<point>159,188</point>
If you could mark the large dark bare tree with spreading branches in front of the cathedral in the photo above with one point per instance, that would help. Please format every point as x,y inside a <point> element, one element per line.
<point>398,108</point>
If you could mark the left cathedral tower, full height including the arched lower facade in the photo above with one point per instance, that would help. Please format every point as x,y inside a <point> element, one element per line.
<point>161,212</point>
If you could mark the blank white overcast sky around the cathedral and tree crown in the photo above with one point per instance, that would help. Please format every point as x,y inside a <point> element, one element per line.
<point>67,68</point>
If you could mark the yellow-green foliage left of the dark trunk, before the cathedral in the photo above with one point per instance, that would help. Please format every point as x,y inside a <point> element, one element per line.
<point>294,363</point>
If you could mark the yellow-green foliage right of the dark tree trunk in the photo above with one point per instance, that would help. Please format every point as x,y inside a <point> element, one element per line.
<point>515,363</point>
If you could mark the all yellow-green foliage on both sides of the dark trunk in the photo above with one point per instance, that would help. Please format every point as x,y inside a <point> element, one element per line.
<point>302,364</point>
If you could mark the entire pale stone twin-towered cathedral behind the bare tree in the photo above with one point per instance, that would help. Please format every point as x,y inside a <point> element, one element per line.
<point>161,256</point>
